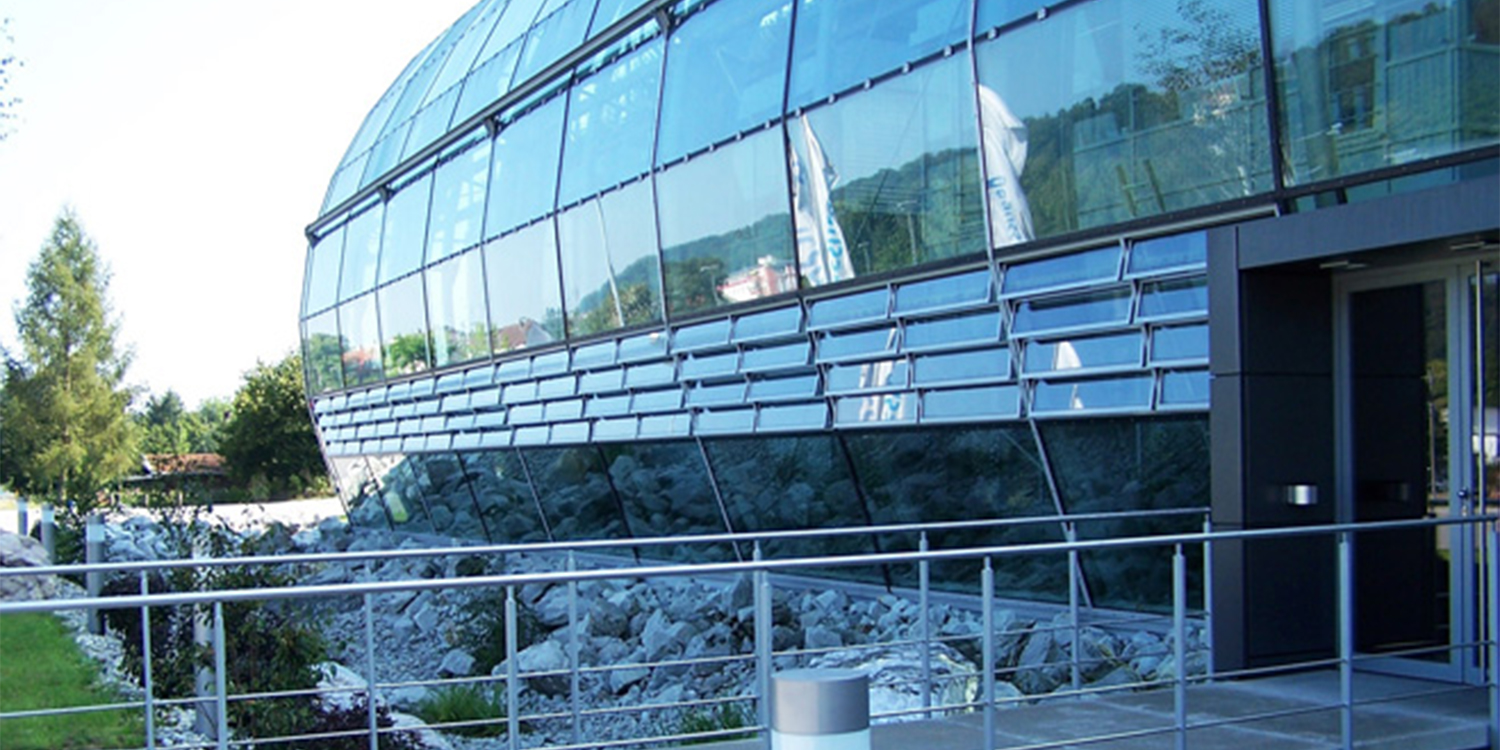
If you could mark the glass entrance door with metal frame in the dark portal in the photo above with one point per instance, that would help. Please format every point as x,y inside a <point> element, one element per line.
<point>1418,355</point>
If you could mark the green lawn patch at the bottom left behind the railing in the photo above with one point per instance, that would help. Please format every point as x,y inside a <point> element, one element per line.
<point>43,668</point>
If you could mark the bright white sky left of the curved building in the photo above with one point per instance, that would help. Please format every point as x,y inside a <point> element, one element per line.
<point>196,140</point>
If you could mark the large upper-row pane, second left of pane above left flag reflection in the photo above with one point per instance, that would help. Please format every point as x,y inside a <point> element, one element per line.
<point>611,121</point>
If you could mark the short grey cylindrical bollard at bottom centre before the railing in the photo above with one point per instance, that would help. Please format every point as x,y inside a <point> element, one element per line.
<point>821,710</point>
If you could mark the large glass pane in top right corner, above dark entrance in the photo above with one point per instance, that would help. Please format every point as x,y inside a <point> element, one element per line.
<point>1384,82</point>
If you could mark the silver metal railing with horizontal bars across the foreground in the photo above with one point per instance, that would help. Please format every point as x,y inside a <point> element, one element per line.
<point>767,575</point>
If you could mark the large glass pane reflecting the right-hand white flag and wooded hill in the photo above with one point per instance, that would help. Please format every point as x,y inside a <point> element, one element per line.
<point>1142,109</point>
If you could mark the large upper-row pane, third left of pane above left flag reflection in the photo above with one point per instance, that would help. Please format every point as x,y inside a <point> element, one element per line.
<point>524,173</point>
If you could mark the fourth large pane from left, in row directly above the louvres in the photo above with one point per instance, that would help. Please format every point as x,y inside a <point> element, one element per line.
<point>457,310</point>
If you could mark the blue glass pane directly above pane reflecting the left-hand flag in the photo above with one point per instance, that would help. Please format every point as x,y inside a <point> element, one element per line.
<point>844,43</point>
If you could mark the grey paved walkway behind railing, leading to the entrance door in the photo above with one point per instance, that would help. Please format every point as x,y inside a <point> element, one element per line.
<point>1402,715</point>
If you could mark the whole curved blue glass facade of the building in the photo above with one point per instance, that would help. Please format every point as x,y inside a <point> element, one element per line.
<point>592,266</point>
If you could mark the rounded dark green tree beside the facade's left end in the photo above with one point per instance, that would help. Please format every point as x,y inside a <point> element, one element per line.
<point>269,443</point>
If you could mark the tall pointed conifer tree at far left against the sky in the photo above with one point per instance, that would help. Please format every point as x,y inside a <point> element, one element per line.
<point>64,418</point>
